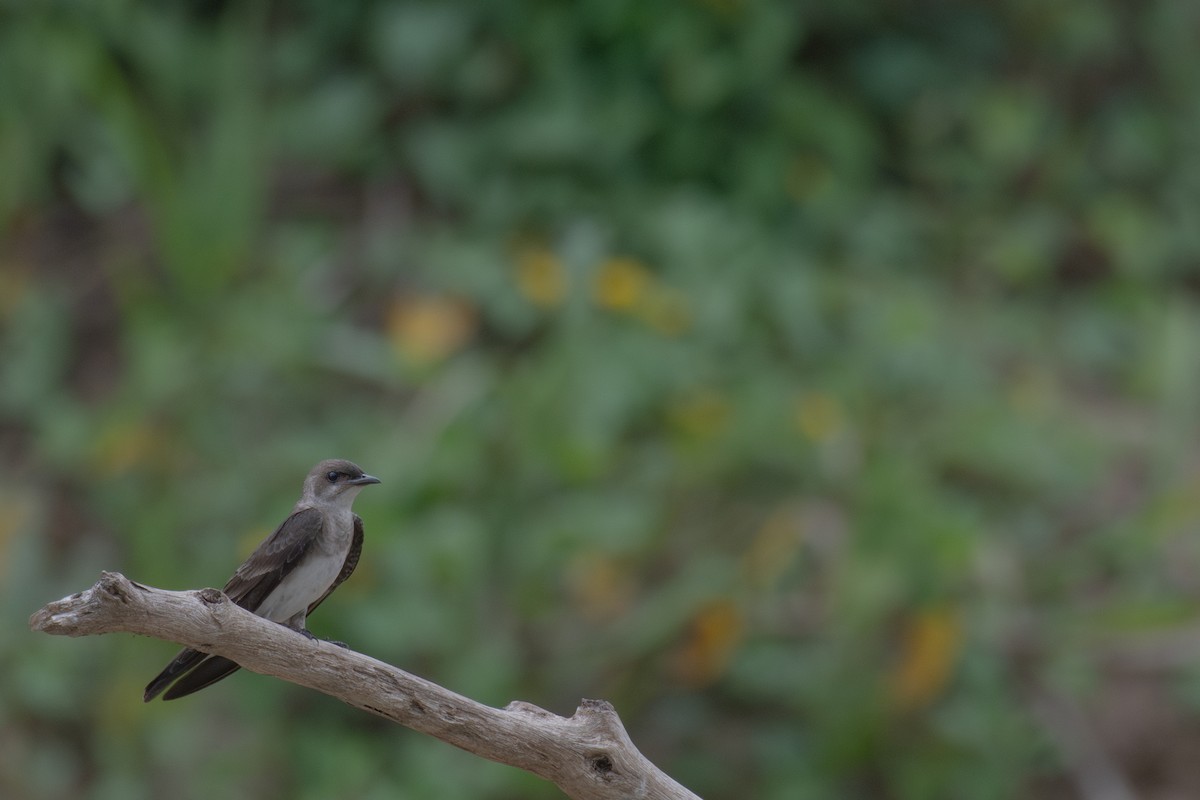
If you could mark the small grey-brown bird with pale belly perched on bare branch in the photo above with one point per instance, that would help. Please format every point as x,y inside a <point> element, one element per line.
<point>290,574</point>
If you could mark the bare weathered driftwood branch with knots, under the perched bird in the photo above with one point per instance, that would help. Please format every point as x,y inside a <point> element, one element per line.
<point>589,756</point>
